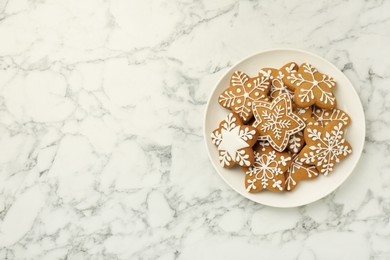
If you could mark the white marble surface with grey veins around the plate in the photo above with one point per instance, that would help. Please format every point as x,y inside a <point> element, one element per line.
<point>101,147</point>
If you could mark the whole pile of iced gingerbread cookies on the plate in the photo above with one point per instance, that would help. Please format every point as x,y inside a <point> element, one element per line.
<point>284,127</point>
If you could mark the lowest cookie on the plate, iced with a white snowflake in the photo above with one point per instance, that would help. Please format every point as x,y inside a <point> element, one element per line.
<point>267,171</point>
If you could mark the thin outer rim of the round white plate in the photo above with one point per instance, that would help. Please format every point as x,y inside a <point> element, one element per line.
<point>205,134</point>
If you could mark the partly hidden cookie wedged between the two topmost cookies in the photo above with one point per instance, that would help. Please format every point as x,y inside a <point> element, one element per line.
<point>276,78</point>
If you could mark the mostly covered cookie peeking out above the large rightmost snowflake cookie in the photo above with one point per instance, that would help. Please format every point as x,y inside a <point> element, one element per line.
<point>324,116</point>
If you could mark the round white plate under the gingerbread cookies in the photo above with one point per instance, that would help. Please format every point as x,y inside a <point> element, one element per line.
<point>347,100</point>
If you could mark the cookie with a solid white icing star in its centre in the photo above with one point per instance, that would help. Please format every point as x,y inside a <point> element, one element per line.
<point>234,141</point>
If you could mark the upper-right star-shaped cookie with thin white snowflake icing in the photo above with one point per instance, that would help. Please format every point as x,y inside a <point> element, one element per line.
<point>311,87</point>
